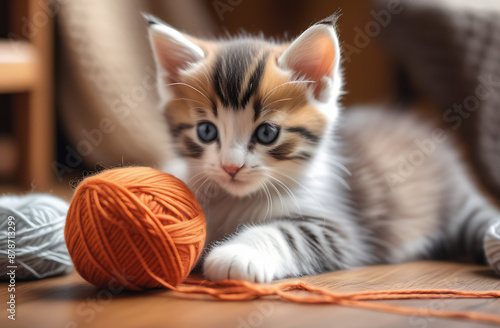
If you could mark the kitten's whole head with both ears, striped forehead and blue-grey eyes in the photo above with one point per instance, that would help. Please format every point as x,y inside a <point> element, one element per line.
<point>245,113</point>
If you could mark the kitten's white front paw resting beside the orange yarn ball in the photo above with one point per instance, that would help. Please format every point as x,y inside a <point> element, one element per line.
<point>240,262</point>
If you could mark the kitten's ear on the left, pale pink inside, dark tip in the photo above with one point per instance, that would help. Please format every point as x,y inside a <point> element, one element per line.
<point>173,51</point>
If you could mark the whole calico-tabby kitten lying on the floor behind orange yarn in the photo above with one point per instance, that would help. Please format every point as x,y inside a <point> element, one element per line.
<point>256,128</point>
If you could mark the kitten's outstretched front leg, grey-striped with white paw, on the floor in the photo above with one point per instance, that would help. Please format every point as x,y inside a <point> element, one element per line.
<point>279,249</point>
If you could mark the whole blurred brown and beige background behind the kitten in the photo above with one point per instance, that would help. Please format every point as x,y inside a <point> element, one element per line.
<point>77,89</point>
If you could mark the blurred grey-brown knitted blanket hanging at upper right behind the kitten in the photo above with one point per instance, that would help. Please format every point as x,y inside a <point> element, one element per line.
<point>450,49</point>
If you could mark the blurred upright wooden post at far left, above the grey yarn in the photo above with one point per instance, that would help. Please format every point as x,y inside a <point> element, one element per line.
<point>35,119</point>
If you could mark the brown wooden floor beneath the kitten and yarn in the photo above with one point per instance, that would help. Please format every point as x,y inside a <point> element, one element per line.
<point>70,302</point>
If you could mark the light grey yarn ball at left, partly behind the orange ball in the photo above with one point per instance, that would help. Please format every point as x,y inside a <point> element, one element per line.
<point>40,249</point>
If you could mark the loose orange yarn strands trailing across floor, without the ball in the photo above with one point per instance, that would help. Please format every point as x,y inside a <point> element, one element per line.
<point>240,290</point>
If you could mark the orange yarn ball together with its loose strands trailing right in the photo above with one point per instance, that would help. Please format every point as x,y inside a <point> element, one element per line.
<point>141,228</point>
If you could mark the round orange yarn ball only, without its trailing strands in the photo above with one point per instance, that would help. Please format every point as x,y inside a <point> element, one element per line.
<point>134,227</point>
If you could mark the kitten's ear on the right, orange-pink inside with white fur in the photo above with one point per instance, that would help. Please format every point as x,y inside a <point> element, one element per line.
<point>315,55</point>
